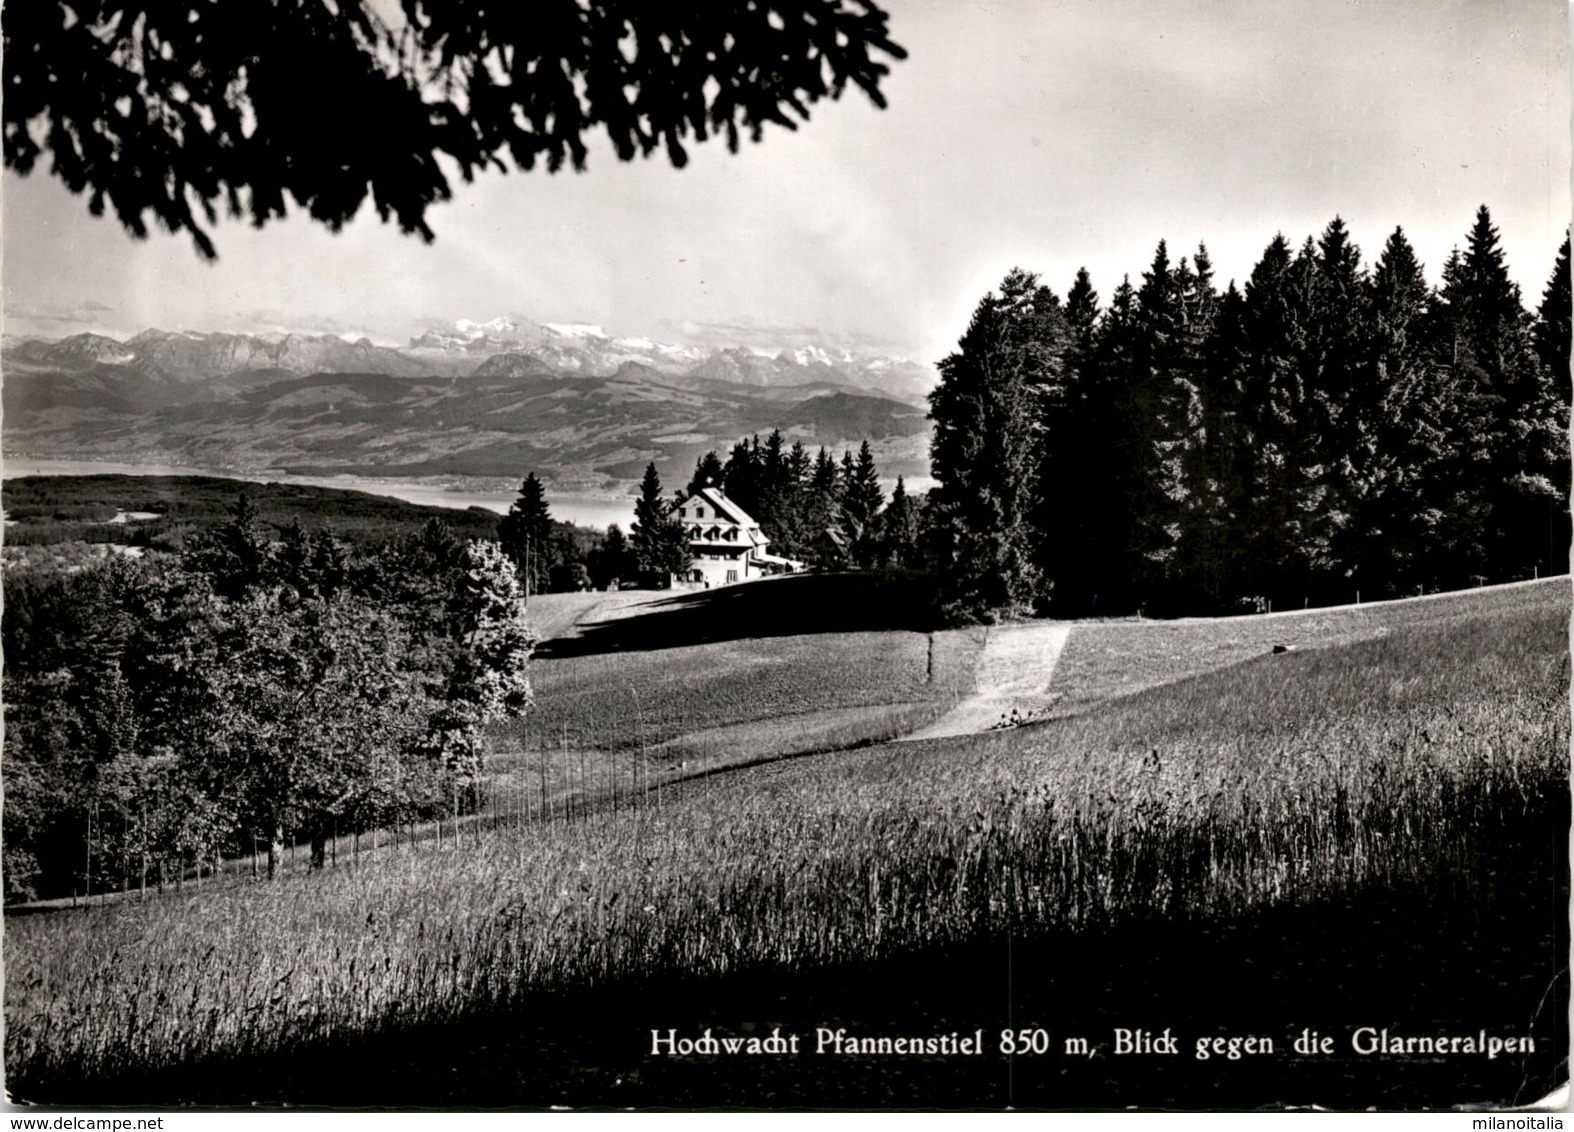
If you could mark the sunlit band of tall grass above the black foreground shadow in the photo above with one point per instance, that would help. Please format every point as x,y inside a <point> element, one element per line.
<point>1287,780</point>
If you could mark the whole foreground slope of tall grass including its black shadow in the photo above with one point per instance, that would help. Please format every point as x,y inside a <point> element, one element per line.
<point>1370,832</point>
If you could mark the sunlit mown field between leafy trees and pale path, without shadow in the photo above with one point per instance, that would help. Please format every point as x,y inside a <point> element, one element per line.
<point>608,728</point>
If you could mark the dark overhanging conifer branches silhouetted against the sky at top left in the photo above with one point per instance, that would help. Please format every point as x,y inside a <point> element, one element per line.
<point>176,111</point>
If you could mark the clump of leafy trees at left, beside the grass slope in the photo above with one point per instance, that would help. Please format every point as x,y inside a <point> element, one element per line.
<point>249,692</point>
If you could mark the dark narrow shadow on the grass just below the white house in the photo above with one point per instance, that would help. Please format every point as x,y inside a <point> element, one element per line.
<point>772,607</point>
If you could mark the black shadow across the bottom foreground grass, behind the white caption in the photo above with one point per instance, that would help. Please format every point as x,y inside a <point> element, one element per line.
<point>1483,949</point>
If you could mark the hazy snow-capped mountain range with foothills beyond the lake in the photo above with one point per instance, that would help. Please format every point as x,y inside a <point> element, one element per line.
<point>490,401</point>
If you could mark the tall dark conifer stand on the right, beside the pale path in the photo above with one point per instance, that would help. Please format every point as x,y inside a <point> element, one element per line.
<point>1323,434</point>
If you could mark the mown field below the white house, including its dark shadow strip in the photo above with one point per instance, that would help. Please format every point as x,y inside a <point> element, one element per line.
<point>618,719</point>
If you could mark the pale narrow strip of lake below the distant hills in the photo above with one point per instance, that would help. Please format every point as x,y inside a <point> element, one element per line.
<point>578,509</point>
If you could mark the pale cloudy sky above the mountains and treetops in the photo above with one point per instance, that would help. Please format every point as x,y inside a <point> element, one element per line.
<point>1046,135</point>
